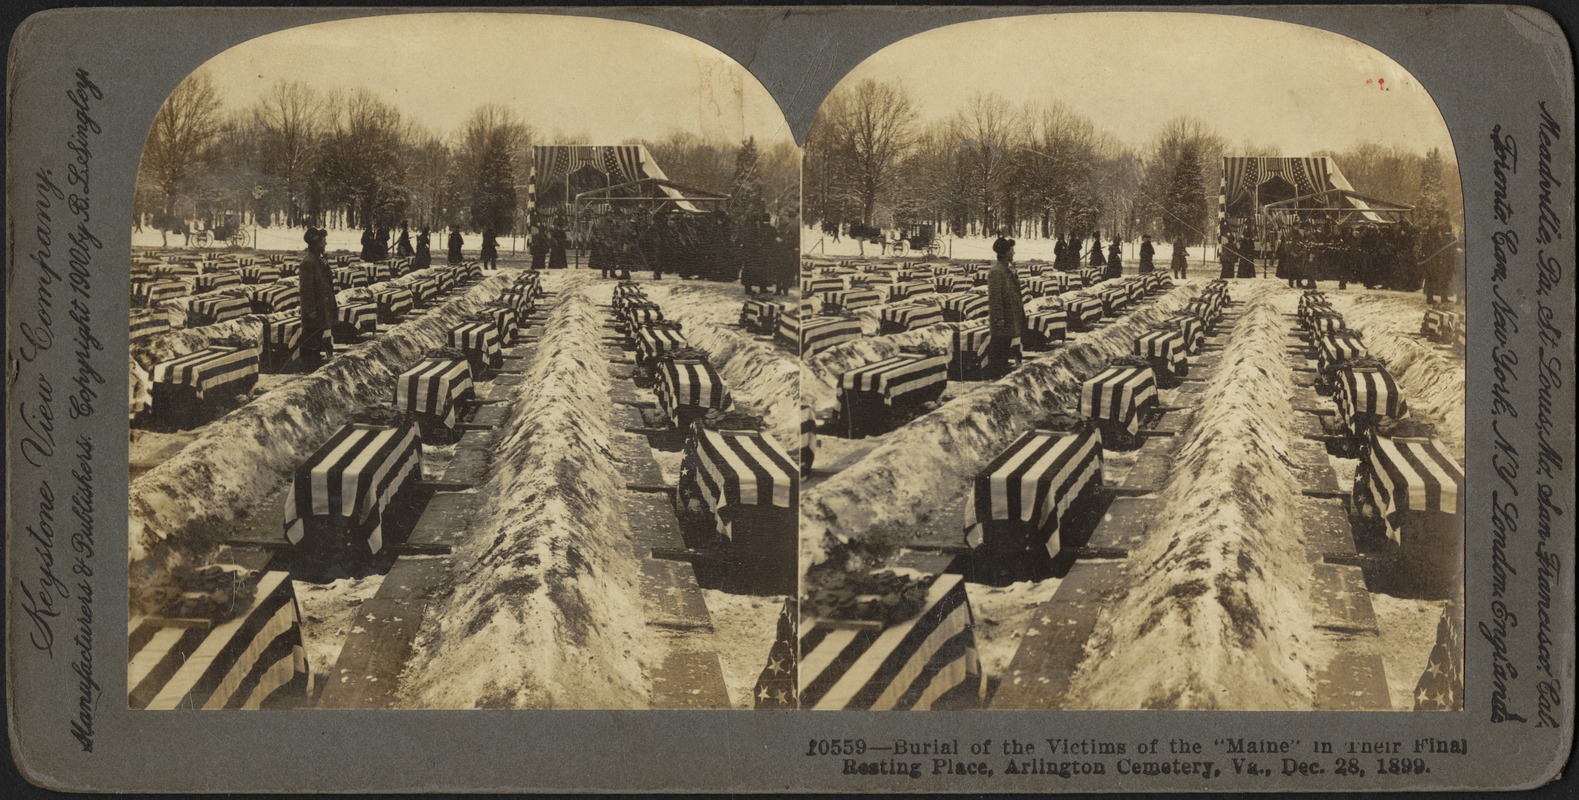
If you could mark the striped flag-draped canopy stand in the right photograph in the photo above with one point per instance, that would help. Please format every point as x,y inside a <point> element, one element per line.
<point>1262,190</point>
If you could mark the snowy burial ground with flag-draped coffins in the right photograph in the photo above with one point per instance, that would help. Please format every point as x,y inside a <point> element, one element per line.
<point>1190,495</point>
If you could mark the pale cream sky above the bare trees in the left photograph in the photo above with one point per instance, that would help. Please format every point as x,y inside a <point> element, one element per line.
<point>607,80</point>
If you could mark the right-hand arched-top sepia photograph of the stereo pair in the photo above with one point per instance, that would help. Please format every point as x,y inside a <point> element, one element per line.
<point>1133,373</point>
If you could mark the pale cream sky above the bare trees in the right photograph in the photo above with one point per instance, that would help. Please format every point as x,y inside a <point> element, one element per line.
<point>1275,84</point>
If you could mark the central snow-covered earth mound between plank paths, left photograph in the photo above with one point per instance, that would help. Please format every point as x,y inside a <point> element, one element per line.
<point>546,611</point>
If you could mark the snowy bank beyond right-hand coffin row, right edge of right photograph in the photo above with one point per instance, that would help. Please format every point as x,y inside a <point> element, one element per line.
<point>1430,375</point>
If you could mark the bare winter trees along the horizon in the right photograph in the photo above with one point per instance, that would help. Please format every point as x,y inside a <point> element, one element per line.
<point>1045,170</point>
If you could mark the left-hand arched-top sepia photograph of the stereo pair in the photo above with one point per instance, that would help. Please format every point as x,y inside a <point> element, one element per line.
<point>457,378</point>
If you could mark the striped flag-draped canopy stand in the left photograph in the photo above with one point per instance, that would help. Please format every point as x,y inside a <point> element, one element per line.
<point>566,174</point>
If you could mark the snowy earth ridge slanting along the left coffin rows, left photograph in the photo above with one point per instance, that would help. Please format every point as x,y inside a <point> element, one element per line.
<point>179,510</point>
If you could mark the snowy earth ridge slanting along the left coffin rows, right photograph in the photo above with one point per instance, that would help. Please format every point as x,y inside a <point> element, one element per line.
<point>923,468</point>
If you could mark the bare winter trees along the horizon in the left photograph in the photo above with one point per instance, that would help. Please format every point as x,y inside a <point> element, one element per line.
<point>302,157</point>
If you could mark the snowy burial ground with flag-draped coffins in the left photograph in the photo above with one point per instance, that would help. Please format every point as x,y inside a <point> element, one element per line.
<point>508,490</point>
